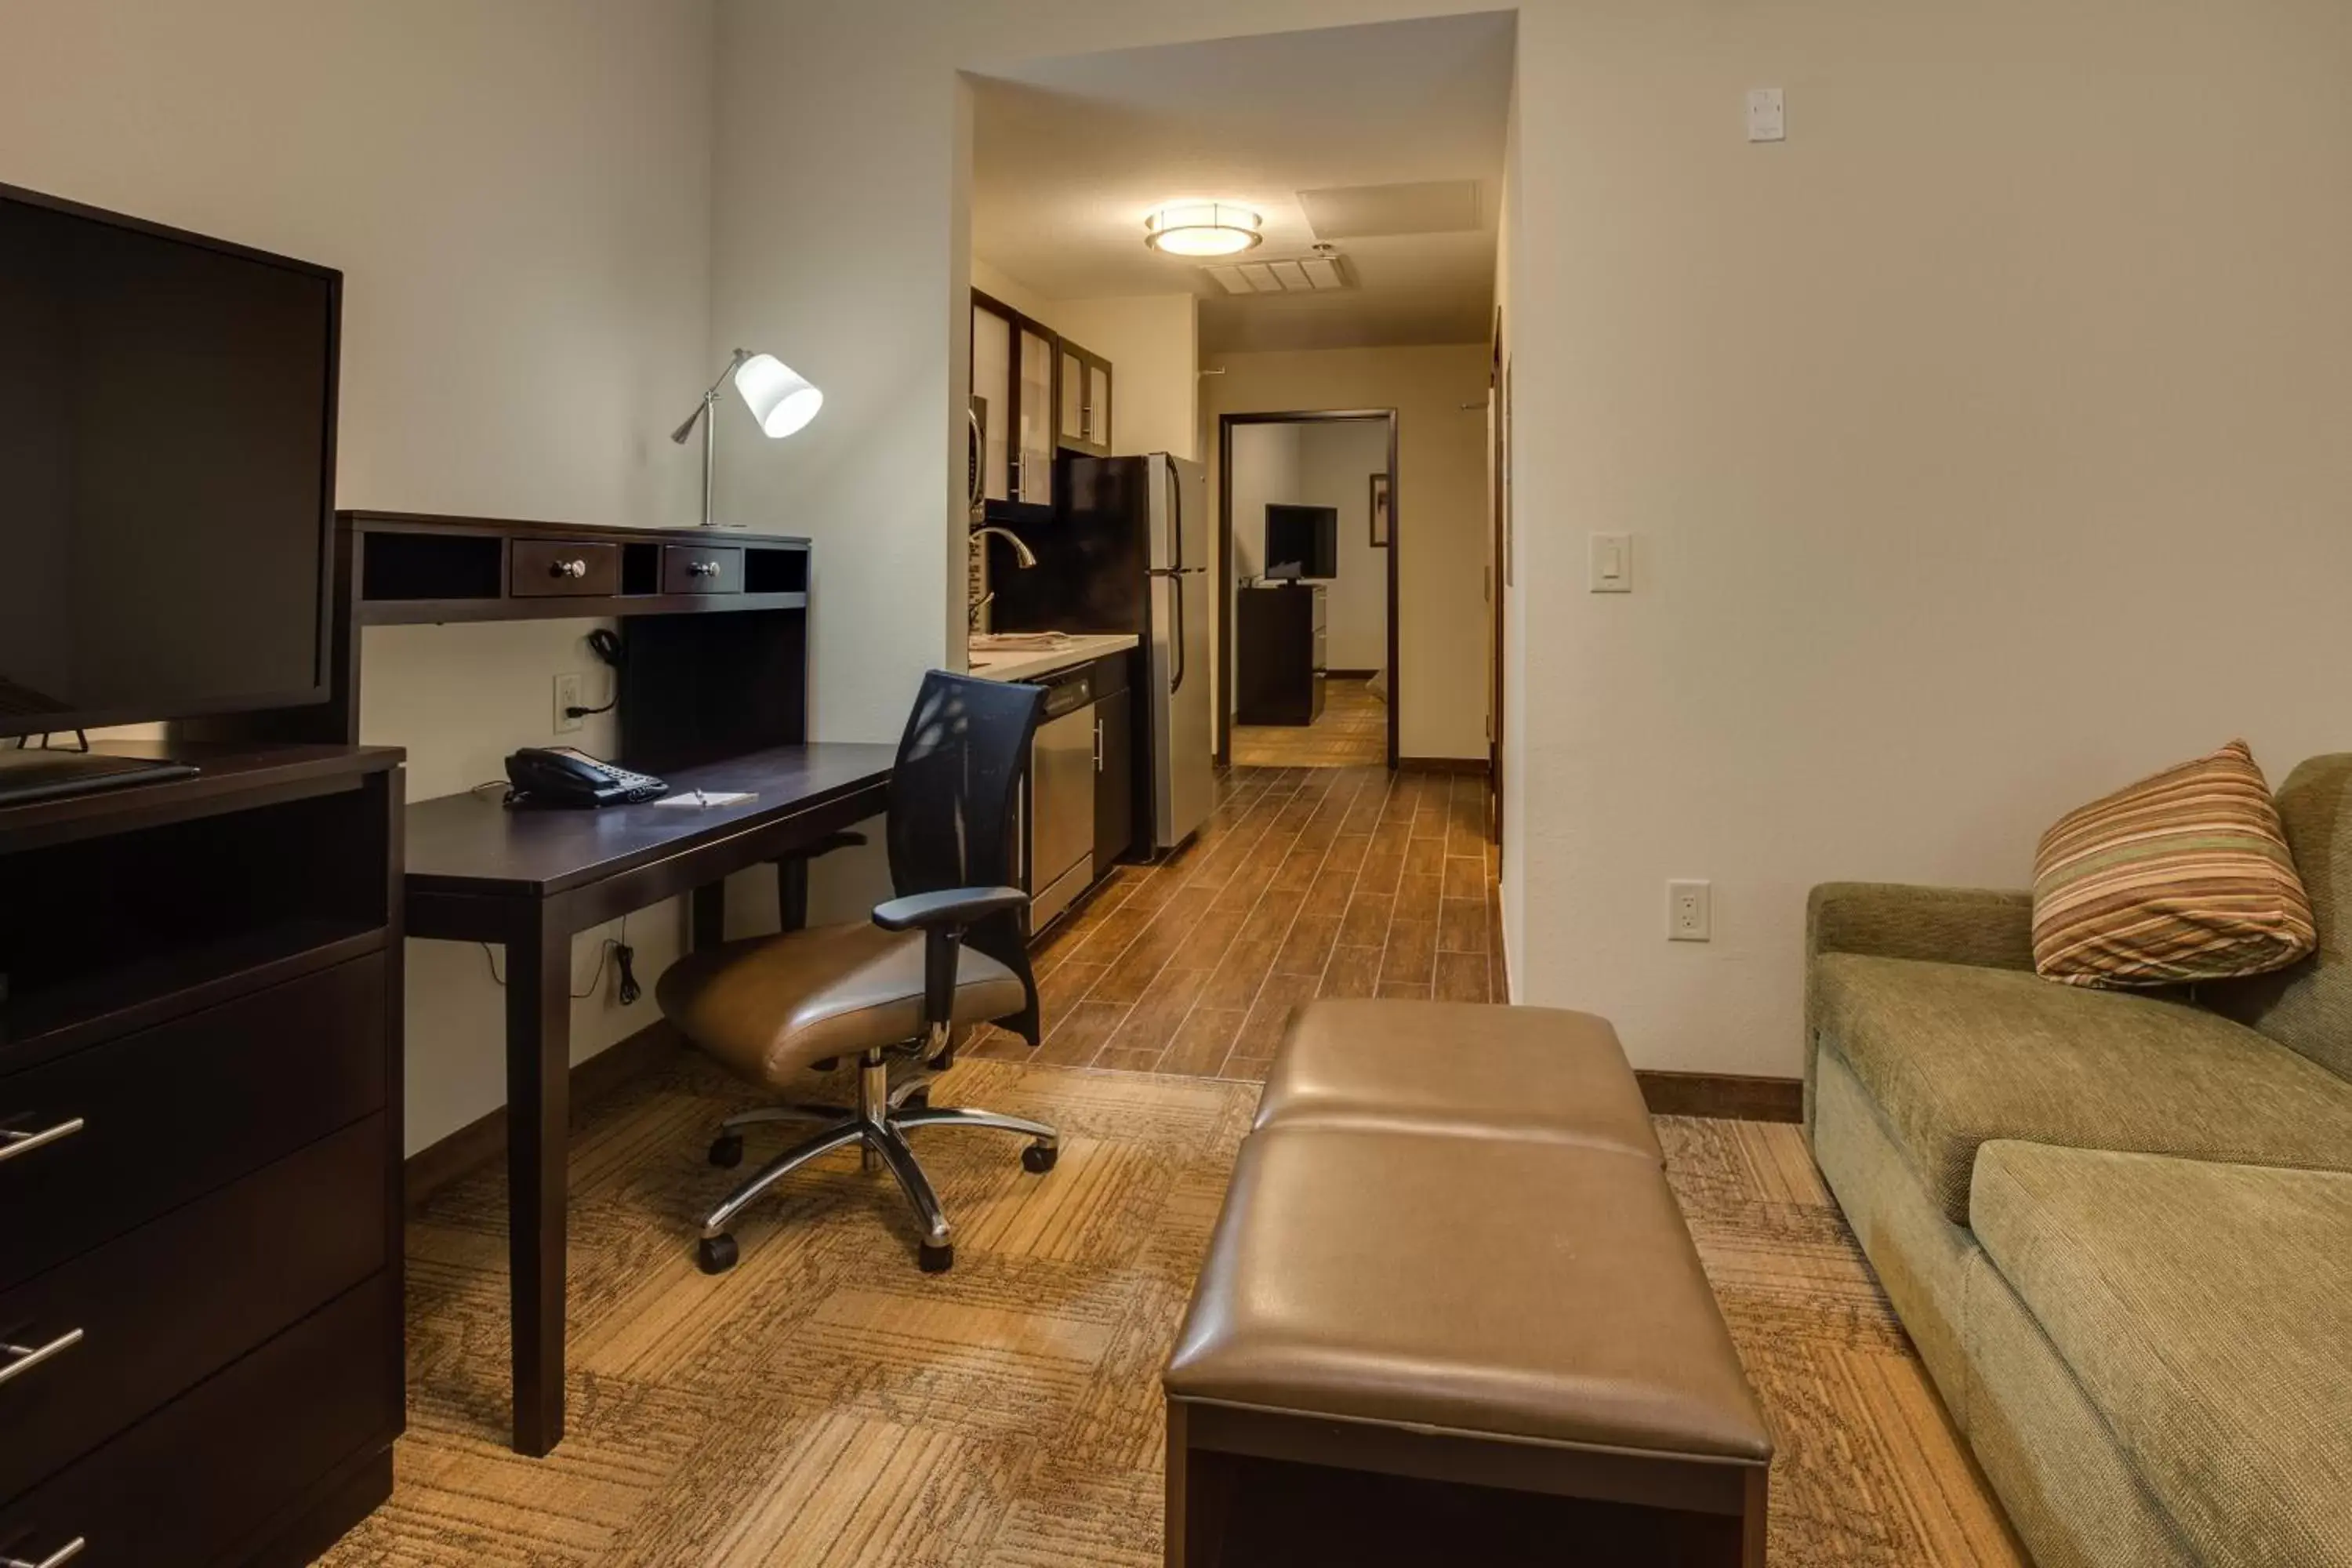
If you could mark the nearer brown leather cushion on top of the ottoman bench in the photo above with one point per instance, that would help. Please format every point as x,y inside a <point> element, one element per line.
<point>1537,1292</point>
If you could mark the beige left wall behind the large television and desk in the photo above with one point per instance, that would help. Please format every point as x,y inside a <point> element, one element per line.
<point>521,203</point>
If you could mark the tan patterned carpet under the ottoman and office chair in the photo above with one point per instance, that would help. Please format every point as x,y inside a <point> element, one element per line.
<point>831,1407</point>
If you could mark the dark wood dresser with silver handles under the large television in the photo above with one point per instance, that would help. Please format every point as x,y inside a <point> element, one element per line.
<point>201,1346</point>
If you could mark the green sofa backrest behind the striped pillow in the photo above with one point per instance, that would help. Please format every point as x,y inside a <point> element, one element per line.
<point>2308,1007</point>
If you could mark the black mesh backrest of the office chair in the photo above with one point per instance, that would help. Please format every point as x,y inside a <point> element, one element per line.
<point>954,800</point>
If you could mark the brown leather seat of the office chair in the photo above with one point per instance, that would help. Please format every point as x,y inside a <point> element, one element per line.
<point>768,1007</point>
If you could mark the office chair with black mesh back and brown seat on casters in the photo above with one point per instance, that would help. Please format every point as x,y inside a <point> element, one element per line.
<point>944,953</point>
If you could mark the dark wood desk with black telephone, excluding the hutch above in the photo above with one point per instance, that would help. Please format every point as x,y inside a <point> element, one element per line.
<point>530,880</point>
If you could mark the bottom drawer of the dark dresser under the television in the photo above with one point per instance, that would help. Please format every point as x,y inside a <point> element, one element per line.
<point>187,1485</point>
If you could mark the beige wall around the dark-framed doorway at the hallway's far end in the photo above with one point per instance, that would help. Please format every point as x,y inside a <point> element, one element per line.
<point>1441,507</point>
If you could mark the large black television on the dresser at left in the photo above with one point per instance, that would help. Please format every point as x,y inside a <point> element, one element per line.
<point>166,471</point>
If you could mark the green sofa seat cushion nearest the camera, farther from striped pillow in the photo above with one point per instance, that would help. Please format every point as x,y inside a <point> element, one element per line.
<point>2207,1313</point>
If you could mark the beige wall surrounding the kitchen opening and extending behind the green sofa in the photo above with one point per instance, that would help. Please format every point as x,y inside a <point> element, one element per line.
<point>2029,349</point>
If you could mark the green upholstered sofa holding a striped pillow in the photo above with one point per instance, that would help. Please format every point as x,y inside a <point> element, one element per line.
<point>2116,1226</point>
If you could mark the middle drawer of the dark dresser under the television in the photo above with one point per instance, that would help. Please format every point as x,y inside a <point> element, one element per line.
<point>185,1296</point>
